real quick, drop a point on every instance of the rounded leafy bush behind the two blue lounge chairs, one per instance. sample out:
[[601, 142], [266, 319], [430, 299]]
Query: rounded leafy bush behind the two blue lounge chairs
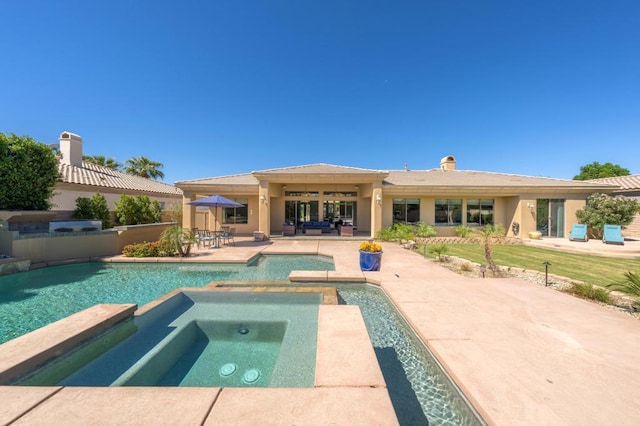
[[604, 209]]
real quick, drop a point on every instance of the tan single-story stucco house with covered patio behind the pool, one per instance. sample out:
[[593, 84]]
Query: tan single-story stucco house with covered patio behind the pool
[[372, 199]]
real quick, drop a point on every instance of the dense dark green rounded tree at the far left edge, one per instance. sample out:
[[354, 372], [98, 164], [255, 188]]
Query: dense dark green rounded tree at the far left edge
[[28, 173]]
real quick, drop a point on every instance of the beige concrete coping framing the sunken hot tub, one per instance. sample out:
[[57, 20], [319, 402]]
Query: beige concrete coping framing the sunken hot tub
[[347, 374]]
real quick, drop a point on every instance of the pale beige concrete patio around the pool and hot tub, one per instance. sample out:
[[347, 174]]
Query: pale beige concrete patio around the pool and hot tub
[[521, 353]]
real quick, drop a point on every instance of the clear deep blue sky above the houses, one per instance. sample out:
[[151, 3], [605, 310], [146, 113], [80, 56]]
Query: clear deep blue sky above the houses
[[212, 88]]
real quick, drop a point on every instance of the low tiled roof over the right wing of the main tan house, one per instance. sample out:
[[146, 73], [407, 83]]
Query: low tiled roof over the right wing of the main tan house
[[470, 178]]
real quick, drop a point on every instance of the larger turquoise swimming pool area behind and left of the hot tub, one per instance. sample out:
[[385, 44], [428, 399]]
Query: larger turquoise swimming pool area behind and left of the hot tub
[[30, 300]]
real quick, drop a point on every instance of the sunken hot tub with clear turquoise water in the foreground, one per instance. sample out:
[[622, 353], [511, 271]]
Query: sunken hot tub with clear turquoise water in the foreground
[[200, 338]]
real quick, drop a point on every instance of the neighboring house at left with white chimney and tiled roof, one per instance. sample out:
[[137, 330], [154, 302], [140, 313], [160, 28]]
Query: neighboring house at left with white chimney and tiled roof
[[82, 179]]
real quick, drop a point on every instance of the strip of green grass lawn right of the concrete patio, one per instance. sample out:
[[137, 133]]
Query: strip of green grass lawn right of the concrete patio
[[595, 270]]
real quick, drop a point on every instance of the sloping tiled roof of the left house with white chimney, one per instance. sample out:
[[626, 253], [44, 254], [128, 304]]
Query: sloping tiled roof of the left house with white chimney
[[94, 175]]
